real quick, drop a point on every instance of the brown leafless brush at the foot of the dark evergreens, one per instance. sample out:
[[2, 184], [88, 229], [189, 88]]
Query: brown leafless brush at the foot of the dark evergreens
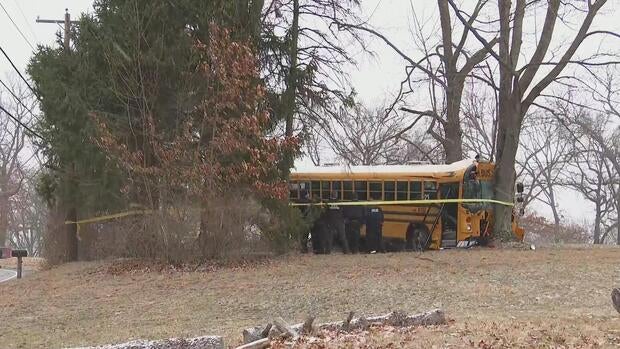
[[231, 227]]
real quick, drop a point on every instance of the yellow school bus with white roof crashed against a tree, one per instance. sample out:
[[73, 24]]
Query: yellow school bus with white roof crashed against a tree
[[437, 223]]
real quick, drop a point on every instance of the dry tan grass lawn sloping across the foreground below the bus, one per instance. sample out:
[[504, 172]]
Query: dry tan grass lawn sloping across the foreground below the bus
[[551, 297]]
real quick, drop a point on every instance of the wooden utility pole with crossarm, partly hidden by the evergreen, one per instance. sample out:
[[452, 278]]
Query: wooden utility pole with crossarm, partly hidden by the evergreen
[[71, 230]]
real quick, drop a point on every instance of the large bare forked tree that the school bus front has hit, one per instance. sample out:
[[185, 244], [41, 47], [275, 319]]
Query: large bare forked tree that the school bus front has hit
[[518, 85]]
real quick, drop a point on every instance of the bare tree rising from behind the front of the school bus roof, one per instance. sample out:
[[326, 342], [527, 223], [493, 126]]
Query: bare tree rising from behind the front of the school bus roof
[[444, 65]]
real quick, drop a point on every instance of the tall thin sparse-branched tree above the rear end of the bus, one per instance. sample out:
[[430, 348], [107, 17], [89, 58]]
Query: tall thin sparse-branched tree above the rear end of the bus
[[304, 56]]
